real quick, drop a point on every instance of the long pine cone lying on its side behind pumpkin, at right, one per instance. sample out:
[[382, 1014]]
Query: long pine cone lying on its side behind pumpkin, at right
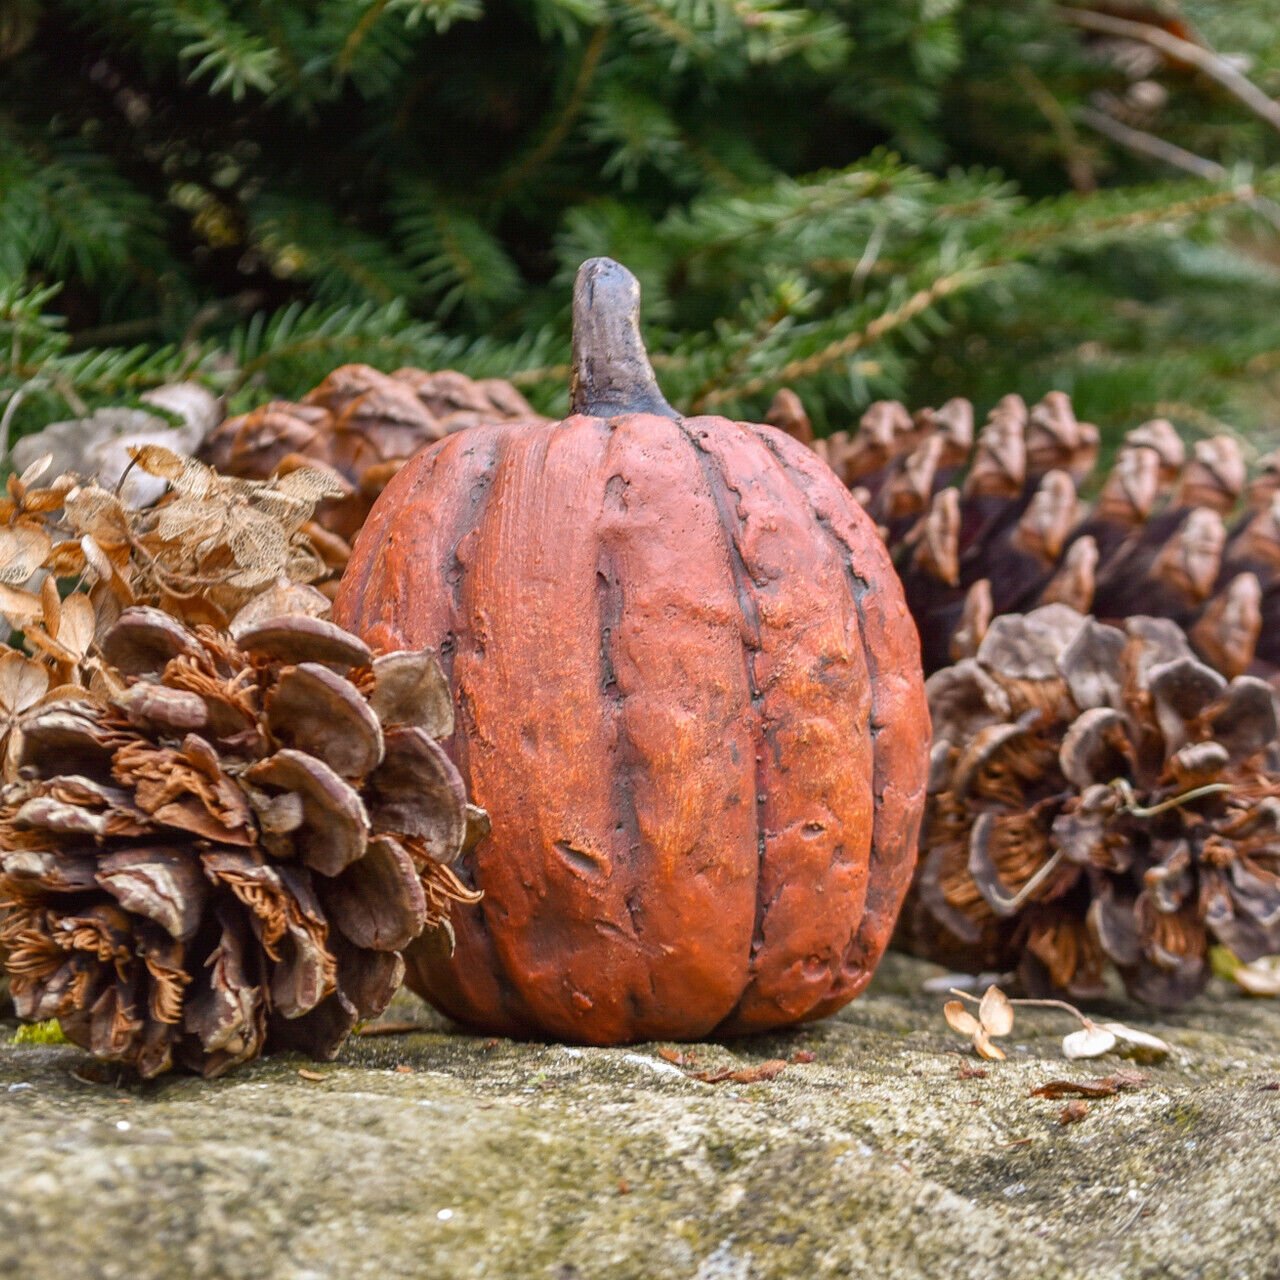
[[990, 525]]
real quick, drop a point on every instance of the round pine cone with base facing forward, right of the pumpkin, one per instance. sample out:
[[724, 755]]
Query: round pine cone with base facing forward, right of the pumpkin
[[1099, 796]]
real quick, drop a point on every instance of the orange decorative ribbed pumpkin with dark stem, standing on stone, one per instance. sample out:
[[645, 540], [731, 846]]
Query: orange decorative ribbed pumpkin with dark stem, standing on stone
[[689, 696]]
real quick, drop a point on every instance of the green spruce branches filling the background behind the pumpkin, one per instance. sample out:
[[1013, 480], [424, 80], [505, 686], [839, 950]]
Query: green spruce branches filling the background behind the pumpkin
[[852, 198]]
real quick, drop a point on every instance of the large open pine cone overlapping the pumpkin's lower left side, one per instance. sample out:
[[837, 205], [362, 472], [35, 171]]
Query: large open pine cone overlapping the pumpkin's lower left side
[[223, 848]]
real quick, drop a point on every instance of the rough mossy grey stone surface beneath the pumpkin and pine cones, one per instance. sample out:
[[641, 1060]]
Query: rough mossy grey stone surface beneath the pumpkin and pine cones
[[454, 1156]]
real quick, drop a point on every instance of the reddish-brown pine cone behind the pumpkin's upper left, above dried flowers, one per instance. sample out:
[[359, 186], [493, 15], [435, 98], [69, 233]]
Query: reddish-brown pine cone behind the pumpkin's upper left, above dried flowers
[[363, 426]]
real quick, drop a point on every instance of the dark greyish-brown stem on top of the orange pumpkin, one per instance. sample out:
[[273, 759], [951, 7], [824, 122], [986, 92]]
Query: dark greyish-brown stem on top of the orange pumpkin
[[611, 368]]
